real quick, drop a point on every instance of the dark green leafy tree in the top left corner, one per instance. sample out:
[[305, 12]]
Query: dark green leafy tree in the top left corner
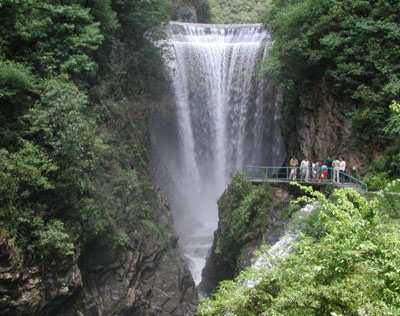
[[53, 37]]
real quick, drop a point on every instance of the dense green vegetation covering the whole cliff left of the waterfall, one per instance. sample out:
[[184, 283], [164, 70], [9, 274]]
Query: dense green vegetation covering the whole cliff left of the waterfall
[[75, 80]]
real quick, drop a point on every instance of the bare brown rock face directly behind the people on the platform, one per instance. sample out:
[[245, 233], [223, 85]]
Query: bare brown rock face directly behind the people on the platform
[[323, 129]]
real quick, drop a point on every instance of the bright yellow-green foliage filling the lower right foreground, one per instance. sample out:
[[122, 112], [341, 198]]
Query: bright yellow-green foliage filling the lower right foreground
[[346, 264]]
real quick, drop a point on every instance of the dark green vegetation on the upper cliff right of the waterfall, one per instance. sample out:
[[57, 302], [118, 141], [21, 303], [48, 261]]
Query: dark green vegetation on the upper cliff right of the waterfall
[[352, 46]]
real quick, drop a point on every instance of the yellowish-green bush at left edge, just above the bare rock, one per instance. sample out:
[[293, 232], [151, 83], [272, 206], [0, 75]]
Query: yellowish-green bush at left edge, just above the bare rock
[[24, 177]]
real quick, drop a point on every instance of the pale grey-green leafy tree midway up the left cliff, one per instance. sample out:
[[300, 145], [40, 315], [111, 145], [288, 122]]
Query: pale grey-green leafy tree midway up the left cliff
[[60, 124]]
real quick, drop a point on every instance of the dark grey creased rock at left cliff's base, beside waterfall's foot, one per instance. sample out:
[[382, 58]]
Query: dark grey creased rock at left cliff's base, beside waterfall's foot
[[146, 279]]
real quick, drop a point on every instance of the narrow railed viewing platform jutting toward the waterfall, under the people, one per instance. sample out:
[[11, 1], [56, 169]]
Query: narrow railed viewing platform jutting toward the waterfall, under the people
[[258, 174]]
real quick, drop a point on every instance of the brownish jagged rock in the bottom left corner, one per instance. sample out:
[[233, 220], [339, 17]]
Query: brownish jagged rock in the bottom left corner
[[31, 291]]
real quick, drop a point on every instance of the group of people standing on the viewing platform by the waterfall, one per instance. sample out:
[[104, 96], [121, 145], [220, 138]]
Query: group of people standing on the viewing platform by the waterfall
[[331, 169]]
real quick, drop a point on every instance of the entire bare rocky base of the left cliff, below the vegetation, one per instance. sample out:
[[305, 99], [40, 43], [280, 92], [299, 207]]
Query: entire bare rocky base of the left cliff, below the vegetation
[[149, 277]]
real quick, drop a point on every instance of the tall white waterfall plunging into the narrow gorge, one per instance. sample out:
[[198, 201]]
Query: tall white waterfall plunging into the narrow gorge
[[226, 117]]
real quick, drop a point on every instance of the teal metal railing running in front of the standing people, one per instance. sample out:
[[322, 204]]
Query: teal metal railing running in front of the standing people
[[308, 175]]
